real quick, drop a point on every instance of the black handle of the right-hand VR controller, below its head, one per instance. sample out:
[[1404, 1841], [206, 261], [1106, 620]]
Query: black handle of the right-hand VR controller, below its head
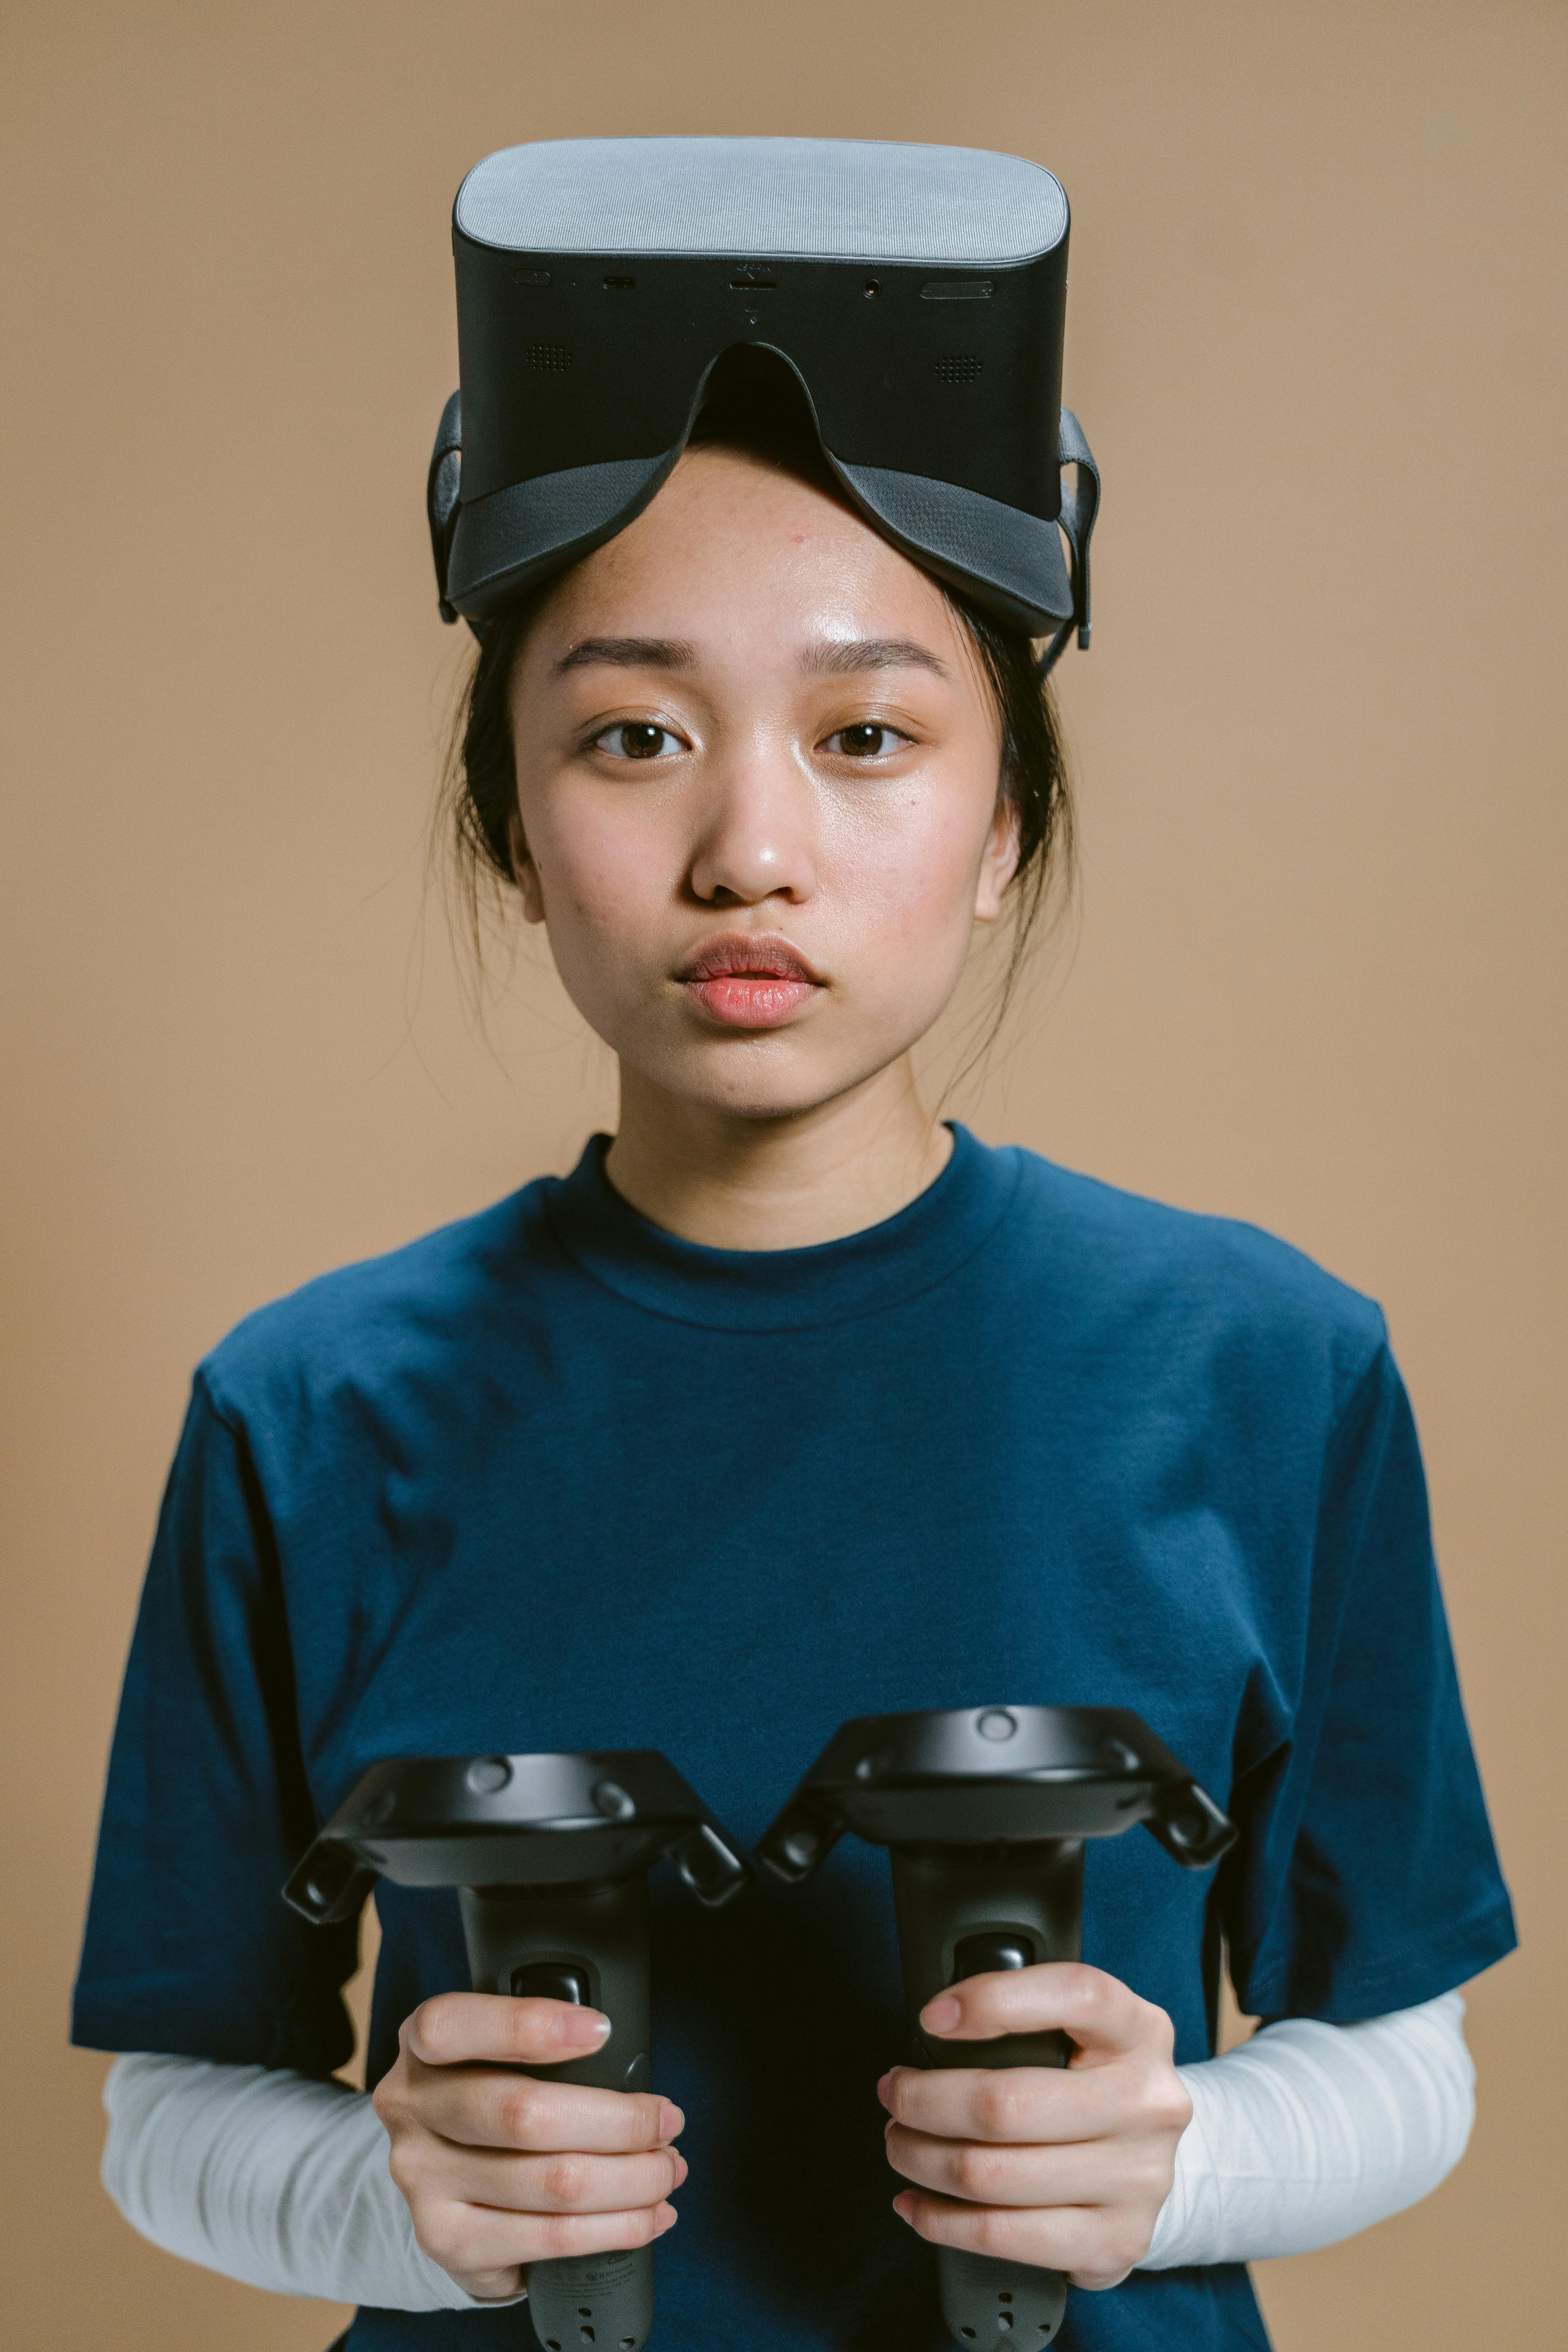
[[965, 1913]]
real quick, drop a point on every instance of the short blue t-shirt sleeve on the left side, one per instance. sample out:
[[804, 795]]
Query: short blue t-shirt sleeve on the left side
[[189, 1942]]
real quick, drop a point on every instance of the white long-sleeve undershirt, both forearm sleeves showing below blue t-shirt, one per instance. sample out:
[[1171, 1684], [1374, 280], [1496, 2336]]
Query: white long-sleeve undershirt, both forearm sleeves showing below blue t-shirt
[[1299, 2139]]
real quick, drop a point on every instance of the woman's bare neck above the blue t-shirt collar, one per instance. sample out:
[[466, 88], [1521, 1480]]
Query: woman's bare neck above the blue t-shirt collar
[[775, 1184]]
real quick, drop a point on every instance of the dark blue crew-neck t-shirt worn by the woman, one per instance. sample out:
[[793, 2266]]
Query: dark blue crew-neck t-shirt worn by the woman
[[558, 1481]]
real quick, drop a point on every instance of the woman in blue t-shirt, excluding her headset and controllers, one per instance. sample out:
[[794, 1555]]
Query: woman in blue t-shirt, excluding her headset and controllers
[[789, 1405]]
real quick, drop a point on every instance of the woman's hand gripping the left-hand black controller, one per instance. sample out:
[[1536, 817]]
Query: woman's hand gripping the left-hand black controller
[[507, 2170]]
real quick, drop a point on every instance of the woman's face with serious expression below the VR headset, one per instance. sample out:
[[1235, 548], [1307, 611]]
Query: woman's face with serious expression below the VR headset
[[758, 791]]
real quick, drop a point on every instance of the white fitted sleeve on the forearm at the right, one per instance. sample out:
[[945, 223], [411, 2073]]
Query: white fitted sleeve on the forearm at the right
[[1313, 2132]]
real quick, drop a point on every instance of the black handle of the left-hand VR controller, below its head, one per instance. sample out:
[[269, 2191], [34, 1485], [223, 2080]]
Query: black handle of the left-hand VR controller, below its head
[[587, 1946]]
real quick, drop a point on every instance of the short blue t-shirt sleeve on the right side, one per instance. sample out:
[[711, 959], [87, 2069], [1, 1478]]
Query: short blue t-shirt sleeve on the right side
[[1367, 1878]]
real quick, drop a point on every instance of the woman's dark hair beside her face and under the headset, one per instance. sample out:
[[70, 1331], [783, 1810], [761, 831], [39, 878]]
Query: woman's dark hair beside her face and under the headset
[[756, 406]]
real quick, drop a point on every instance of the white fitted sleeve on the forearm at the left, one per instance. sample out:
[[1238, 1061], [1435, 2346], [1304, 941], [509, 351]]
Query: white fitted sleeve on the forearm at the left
[[272, 2179]]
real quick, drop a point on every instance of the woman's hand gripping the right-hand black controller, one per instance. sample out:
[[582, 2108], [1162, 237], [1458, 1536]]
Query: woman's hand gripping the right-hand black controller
[[1066, 2167]]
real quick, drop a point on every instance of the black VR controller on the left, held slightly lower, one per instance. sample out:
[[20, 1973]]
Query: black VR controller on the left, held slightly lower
[[551, 1859]]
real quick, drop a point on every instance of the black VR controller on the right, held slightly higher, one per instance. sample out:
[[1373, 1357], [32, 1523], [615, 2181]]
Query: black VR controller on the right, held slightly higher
[[986, 1815]]
